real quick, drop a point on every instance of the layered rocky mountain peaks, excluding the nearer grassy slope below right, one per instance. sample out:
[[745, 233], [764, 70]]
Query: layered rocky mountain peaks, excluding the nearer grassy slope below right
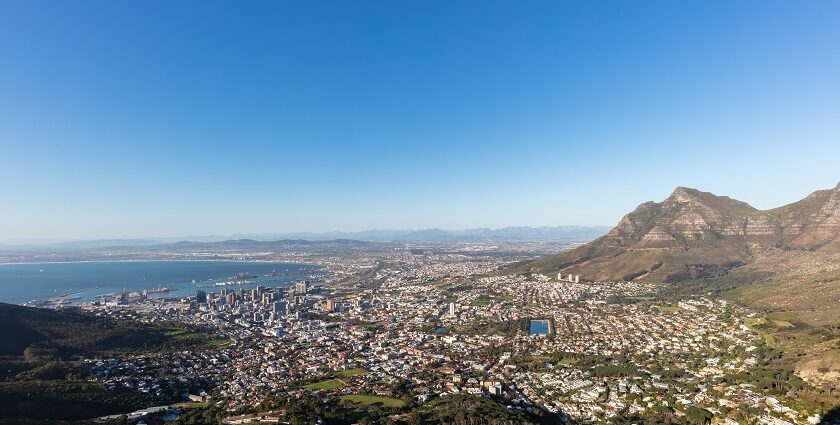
[[693, 230]]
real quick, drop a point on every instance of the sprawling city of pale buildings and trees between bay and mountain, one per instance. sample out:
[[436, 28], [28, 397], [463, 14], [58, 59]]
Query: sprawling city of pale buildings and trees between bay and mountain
[[416, 324]]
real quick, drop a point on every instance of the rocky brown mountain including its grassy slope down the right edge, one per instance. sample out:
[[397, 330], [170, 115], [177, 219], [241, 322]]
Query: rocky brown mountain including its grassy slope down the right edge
[[782, 263]]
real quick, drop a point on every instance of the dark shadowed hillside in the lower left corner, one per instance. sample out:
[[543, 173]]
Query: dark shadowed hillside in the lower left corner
[[42, 372]]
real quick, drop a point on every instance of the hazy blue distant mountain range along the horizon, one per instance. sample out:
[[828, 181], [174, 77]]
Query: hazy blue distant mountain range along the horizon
[[546, 233]]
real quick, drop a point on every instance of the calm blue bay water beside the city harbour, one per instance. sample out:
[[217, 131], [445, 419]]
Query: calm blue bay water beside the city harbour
[[20, 283]]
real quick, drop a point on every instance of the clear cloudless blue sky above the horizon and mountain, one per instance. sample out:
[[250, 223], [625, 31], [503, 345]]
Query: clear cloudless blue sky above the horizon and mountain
[[145, 119]]
